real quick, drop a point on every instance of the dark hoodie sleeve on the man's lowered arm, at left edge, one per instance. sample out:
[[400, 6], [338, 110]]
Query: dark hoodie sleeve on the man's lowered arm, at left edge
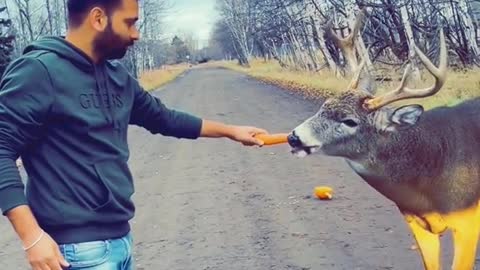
[[25, 100]]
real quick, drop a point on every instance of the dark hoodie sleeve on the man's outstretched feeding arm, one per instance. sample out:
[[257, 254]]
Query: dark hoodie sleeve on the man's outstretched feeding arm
[[149, 112]]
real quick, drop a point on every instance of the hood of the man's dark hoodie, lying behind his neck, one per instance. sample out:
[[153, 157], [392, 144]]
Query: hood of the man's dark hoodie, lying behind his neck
[[64, 49]]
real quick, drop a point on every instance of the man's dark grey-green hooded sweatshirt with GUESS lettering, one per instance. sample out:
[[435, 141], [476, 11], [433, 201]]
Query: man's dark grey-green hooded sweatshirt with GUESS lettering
[[68, 119]]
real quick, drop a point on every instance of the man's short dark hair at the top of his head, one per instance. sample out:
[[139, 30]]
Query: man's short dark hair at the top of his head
[[78, 9]]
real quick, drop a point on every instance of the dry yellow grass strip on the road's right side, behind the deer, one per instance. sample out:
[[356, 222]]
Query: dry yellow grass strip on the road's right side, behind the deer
[[460, 85]]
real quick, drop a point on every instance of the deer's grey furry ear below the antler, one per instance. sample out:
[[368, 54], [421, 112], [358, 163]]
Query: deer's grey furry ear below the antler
[[389, 120]]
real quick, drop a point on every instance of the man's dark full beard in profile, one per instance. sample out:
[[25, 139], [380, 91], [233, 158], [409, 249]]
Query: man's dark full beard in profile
[[109, 45]]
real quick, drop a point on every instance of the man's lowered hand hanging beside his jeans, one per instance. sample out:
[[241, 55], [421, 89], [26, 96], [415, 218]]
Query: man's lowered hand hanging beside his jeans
[[46, 255]]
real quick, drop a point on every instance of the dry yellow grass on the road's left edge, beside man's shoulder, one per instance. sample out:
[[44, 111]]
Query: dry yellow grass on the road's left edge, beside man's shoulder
[[154, 79]]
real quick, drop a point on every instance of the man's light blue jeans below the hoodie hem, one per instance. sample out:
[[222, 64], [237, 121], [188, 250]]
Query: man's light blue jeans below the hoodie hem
[[112, 254]]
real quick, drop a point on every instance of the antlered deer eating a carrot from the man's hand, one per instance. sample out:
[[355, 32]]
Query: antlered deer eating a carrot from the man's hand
[[427, 162]]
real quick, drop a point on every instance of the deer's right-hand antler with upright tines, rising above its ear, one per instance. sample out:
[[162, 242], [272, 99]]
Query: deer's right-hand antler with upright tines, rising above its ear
[[403, 92]]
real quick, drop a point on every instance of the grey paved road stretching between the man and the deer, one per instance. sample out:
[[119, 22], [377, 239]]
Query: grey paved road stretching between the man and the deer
[[215, 204]]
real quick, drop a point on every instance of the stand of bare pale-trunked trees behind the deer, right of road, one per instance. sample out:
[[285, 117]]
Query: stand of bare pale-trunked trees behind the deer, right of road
[[293, 32]]
